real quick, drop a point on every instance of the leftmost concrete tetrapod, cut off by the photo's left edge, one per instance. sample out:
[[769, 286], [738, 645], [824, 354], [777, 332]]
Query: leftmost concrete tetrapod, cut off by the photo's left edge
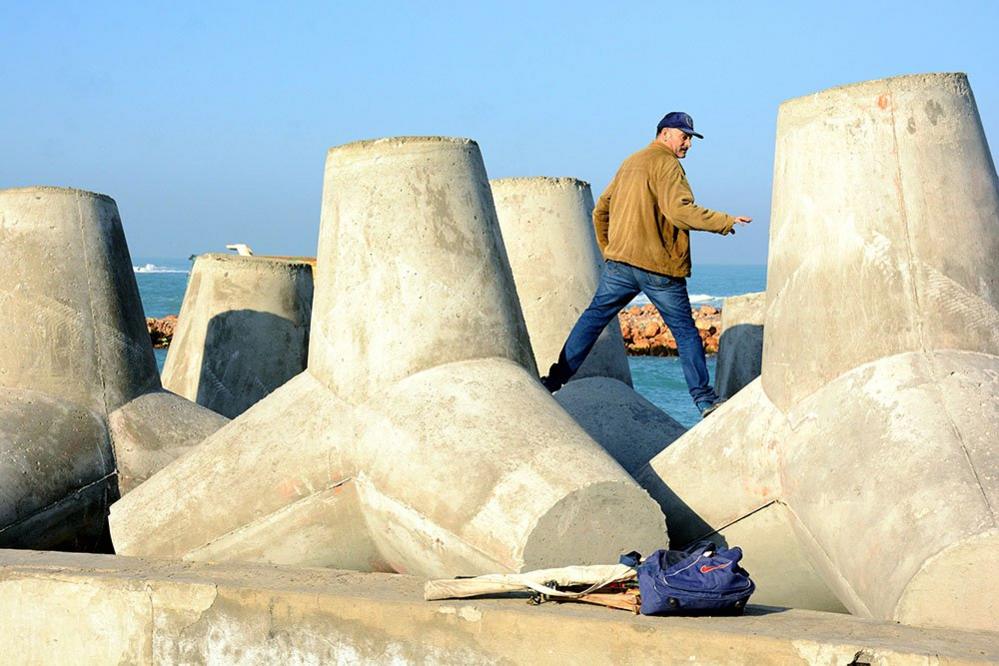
[[83, 413]]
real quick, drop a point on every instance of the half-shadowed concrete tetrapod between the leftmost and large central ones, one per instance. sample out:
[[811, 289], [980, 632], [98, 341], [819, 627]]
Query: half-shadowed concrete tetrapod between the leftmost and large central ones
[[243, 330]]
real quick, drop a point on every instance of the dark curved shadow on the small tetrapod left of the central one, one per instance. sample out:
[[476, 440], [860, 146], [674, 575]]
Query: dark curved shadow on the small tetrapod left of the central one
[[247, 355]]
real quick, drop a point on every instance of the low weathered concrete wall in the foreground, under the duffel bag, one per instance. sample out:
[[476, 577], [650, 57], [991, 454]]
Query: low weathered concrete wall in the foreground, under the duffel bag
[[91, 609]]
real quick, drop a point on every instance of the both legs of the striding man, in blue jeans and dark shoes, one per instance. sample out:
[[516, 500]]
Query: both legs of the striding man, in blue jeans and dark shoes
[[619, 283]]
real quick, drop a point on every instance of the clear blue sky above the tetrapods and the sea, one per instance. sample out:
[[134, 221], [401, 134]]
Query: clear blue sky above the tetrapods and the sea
[[209, 122]]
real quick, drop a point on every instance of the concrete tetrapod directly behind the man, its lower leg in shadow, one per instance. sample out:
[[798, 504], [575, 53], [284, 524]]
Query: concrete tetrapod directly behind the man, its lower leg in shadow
[[548, 232]]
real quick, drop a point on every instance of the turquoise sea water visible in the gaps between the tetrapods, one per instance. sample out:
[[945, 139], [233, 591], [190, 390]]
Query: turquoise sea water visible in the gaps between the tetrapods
[[162, 282]]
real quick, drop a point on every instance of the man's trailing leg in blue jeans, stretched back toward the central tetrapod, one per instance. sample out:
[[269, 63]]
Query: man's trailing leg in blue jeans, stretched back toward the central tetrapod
[[616, 288]]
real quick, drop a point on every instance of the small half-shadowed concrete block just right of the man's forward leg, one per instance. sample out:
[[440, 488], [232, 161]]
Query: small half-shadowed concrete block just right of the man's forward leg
[[740, 349]]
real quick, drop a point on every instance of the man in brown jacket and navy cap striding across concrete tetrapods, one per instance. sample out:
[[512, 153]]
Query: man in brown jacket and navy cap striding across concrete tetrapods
[[643, 221]]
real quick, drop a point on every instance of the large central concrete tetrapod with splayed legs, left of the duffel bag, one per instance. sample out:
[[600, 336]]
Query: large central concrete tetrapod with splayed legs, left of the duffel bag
[[431, 453]]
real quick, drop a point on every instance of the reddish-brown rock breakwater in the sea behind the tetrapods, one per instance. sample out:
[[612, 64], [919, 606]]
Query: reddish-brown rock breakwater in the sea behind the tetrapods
[[642, 328]]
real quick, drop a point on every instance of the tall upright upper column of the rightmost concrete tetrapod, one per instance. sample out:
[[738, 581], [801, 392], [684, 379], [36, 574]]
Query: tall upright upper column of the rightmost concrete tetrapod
[[897, 182]]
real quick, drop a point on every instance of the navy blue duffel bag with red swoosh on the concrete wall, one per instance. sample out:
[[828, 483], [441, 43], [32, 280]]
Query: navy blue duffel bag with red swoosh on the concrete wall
[[701, 580]]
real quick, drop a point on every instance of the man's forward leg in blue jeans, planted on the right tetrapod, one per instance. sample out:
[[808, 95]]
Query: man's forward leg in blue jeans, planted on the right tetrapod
[[669, 295]]
